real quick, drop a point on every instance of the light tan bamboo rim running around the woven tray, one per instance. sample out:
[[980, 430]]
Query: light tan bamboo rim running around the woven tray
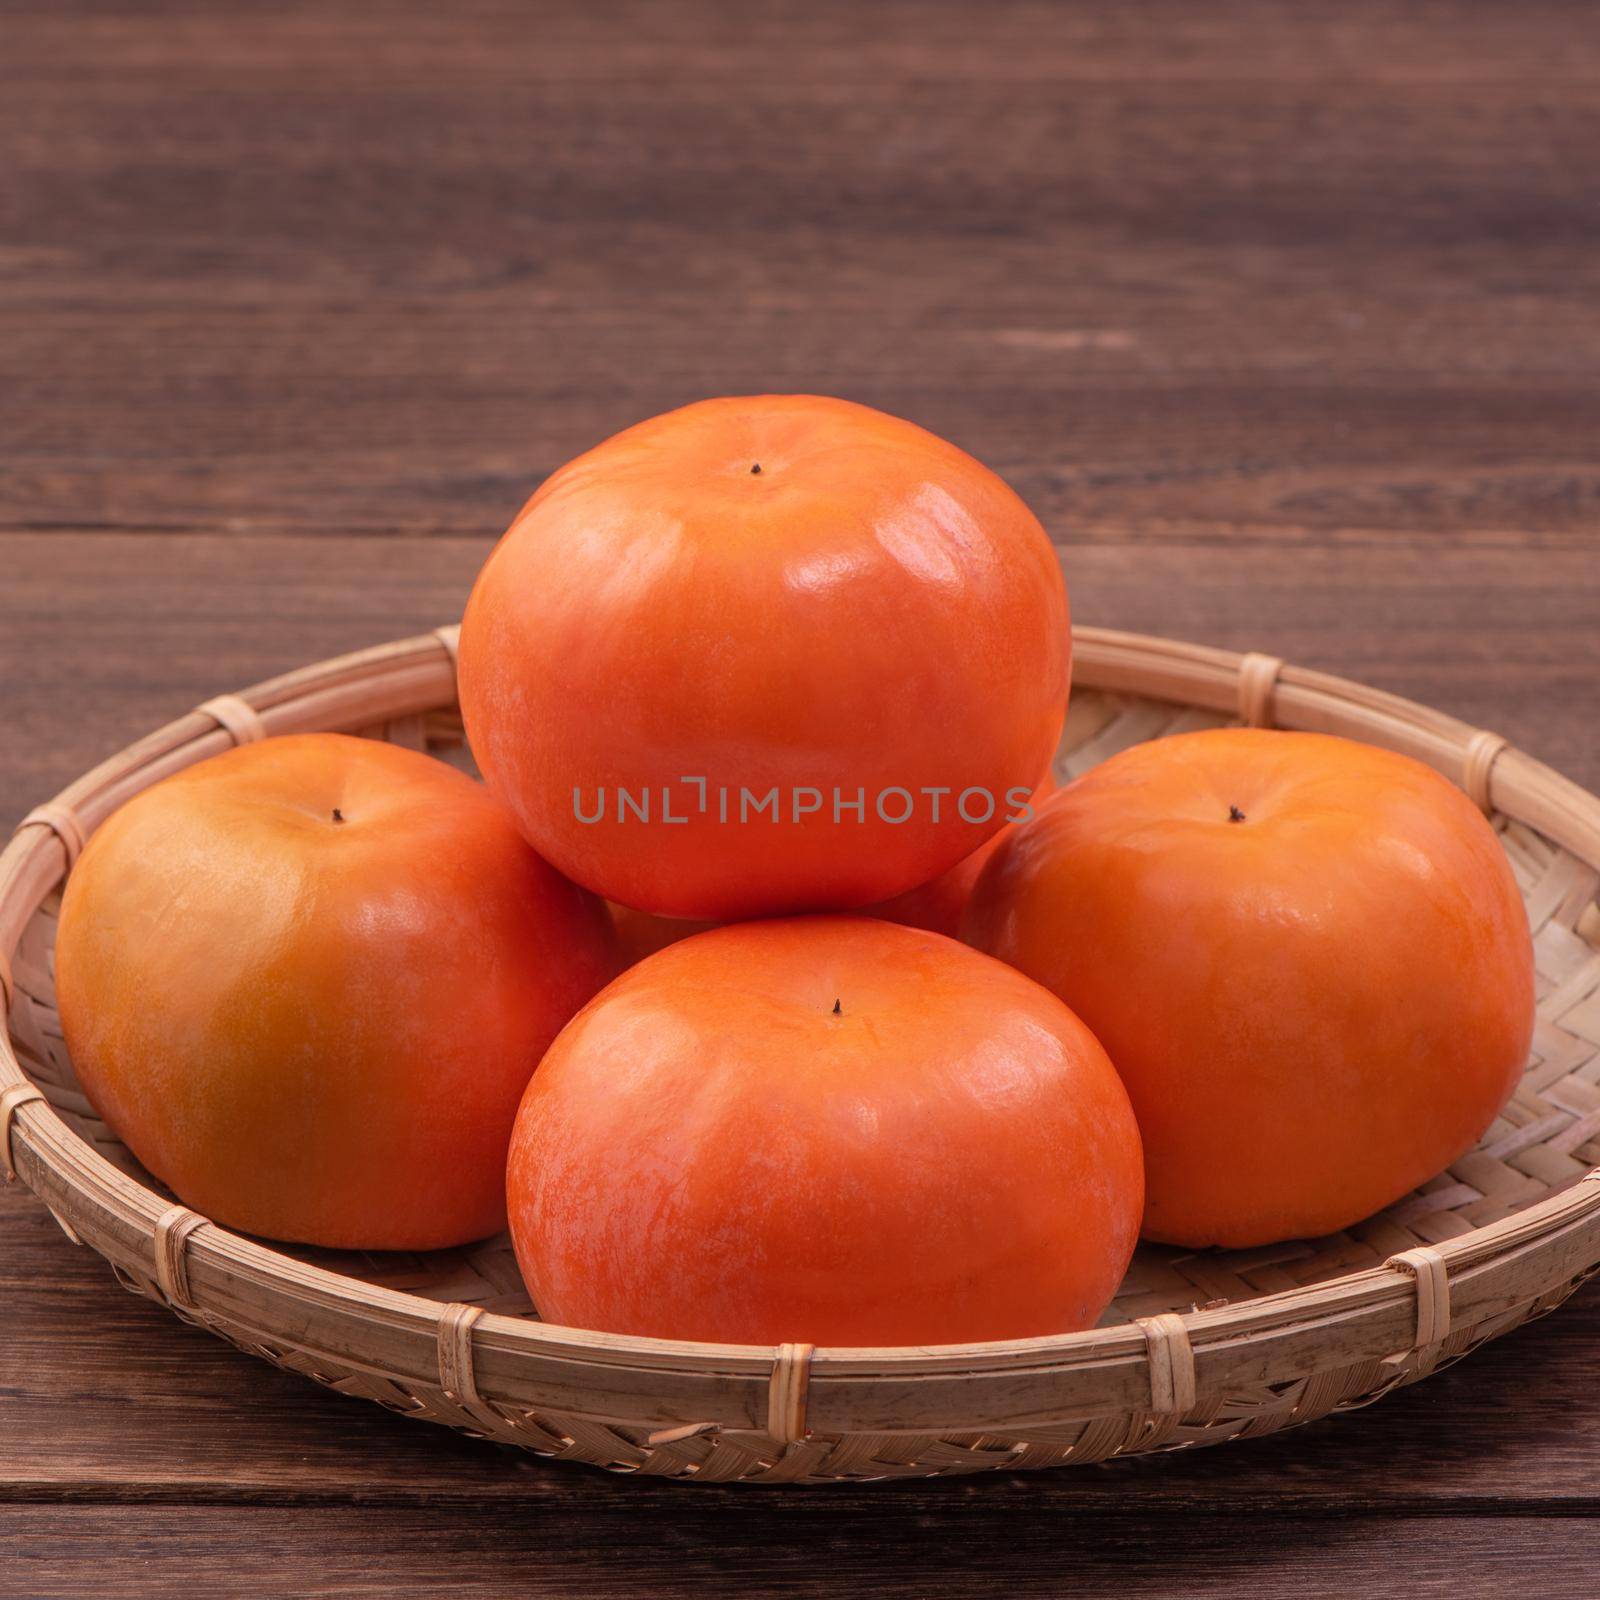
[[1265, 1338]]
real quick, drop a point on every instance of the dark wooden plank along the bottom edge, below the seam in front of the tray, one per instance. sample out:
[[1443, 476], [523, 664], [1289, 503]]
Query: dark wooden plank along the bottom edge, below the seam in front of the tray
[[802, 1546]]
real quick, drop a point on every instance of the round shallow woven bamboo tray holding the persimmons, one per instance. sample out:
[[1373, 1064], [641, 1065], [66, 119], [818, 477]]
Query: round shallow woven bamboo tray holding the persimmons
[[1198, 1350]]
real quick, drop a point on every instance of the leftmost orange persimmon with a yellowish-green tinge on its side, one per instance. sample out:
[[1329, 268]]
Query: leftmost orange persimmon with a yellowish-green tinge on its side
[[318, 1028]]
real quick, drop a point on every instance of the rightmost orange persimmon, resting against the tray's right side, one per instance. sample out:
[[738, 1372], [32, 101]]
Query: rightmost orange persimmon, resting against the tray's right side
[[1316, 1006]]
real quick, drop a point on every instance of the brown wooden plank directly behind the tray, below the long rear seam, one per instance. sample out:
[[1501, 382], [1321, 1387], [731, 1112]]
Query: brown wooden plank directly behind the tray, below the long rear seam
[[106, 636]]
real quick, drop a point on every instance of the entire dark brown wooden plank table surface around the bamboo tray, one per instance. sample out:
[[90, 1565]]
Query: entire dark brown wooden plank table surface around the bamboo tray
[[1284, 319]]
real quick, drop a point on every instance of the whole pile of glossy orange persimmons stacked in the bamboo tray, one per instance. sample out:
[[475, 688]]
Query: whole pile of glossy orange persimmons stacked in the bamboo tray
[[766, 985]]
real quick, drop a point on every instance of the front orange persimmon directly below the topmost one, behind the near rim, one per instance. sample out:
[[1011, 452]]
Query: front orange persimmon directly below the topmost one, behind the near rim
[[711, 1151]]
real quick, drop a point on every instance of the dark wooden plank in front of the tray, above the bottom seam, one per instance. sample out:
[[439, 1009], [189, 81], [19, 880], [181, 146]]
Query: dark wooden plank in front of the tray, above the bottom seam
[[106, 1398]]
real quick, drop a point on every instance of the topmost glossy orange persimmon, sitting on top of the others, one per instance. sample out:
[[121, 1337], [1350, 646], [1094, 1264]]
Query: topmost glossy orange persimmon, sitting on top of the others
[[871, 610]]
